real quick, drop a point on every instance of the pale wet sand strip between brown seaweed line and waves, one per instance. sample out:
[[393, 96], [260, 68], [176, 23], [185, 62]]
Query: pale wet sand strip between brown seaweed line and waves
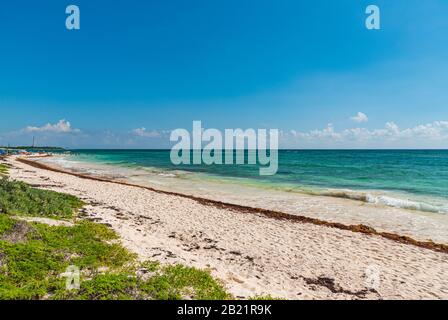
[[337, 208]]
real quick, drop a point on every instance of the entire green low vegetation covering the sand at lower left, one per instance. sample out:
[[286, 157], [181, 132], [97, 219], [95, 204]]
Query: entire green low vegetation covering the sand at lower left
[[34, 256]]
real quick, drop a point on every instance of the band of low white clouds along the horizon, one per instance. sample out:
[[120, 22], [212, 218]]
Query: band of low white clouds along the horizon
[[429, 135]]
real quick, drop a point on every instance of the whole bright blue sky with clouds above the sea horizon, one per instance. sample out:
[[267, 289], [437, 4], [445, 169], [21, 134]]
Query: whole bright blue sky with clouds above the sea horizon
[[137, 69]]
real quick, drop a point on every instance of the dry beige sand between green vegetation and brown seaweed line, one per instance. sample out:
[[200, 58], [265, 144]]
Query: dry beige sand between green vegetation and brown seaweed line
[[253, 253]]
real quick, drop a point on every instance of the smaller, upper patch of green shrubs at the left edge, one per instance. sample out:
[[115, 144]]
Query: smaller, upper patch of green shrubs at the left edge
[[18, 198]]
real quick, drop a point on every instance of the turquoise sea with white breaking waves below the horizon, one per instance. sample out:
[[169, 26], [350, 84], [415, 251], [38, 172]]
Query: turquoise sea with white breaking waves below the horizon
[[411, 179]]
